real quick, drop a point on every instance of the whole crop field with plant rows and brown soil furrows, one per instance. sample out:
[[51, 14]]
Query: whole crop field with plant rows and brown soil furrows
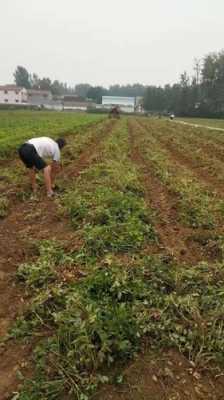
[[115, 289]]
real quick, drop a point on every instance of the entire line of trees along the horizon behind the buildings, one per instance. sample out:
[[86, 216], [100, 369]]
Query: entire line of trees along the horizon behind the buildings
[[201, 94]]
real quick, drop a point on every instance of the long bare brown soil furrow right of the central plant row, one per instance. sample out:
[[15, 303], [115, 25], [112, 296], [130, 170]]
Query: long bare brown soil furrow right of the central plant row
[[173, 236]]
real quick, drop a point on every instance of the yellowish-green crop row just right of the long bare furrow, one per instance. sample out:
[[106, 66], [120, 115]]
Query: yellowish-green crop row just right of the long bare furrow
[[197, 206]]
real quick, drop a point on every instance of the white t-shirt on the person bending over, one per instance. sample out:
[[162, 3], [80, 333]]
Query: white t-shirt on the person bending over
[[46, 147]]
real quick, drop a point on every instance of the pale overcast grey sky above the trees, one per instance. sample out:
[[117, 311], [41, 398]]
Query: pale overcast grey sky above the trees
[[105, 42]]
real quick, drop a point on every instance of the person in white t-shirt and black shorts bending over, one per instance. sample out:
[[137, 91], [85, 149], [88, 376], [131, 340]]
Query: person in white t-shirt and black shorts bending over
[[33, 153]]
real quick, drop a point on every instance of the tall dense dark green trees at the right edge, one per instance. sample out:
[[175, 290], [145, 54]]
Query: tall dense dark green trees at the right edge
[[199, 95]]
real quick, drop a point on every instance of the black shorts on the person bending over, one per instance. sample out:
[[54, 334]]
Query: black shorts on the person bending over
[[30, 157]]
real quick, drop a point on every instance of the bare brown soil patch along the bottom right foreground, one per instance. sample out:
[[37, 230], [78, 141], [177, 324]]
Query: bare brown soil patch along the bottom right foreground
[[169, 376]]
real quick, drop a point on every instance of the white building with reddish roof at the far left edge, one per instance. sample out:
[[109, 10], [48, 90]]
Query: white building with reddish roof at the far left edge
[[12, 94]]
